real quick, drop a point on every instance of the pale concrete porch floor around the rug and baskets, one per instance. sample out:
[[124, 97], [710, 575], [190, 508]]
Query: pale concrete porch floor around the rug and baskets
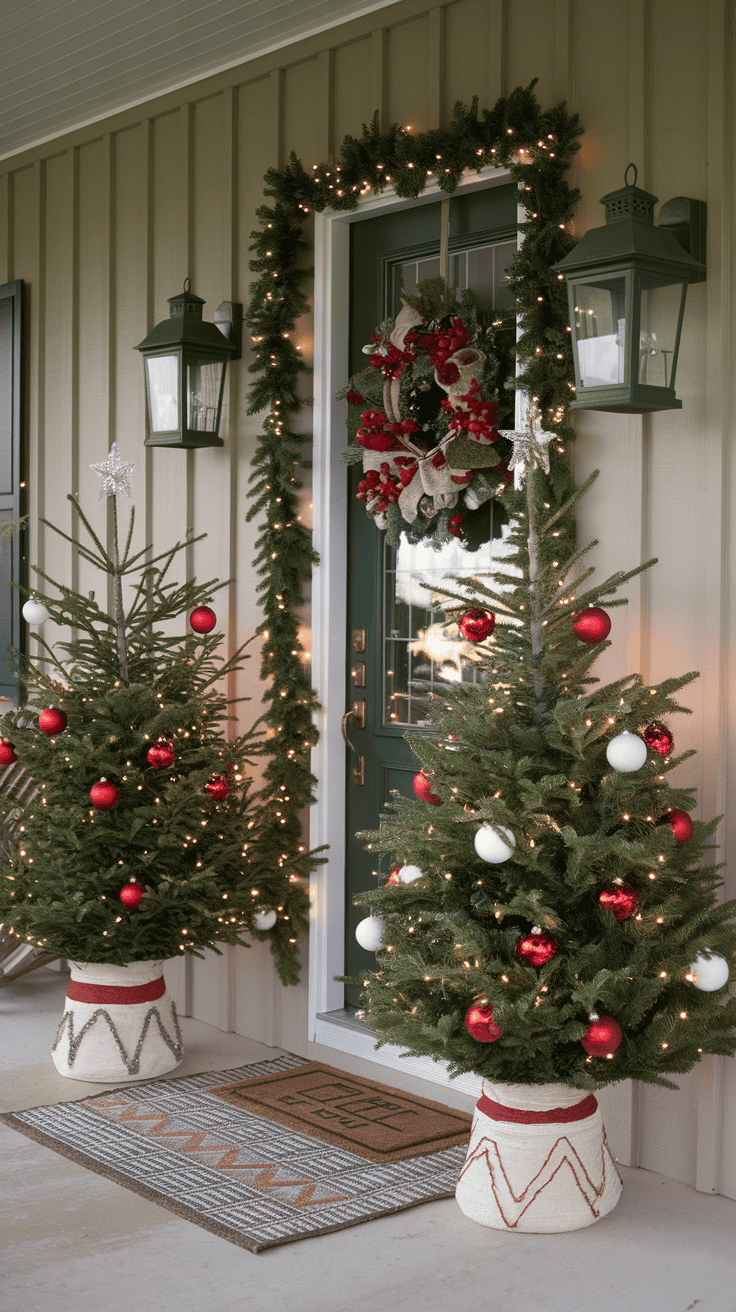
[[75, 1242]]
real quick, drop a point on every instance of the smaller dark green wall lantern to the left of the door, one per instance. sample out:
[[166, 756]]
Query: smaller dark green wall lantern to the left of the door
[[186, 364]]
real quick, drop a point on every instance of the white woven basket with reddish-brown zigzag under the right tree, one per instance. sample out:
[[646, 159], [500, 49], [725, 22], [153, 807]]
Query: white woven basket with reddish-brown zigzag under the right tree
[[539, 1160]]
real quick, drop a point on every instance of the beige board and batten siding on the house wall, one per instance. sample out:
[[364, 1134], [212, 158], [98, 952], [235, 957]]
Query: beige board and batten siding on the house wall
[[106, 224]]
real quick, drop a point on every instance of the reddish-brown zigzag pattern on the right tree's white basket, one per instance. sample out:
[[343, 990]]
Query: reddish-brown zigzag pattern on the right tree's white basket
[[514, 1206]]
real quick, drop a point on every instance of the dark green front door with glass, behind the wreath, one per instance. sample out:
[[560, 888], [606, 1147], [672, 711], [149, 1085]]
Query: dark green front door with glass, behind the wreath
[[398, 649]]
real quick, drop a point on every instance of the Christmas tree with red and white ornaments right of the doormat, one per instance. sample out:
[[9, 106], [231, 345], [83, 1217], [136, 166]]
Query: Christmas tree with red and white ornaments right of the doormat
[[552, 914]]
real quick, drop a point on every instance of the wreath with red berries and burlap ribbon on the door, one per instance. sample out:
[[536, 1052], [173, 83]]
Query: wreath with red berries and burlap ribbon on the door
[[424, 418]]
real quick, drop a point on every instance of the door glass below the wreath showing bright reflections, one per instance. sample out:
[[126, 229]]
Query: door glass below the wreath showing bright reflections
[[423, 650]]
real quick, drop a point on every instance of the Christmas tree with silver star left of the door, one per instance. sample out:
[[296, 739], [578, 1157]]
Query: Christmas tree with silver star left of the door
[[134, 842]]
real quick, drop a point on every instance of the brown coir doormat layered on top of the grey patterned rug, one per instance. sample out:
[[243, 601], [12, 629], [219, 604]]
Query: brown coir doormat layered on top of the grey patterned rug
[[348, 1112]]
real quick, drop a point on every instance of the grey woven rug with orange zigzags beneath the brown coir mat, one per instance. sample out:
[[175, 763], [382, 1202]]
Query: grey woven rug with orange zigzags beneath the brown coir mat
[[234, 1168]]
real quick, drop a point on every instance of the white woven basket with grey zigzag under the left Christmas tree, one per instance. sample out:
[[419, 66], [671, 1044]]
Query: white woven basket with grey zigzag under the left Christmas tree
[[120, 1024]]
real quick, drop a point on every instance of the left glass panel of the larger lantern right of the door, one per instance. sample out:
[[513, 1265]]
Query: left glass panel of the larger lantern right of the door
[[600, 331]]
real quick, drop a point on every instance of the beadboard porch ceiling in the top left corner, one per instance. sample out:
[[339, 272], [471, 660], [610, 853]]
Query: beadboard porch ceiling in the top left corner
[[66, 64]]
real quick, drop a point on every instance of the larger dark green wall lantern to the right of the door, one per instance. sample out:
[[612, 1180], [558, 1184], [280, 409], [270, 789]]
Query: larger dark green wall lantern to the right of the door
[[626, 289]]
